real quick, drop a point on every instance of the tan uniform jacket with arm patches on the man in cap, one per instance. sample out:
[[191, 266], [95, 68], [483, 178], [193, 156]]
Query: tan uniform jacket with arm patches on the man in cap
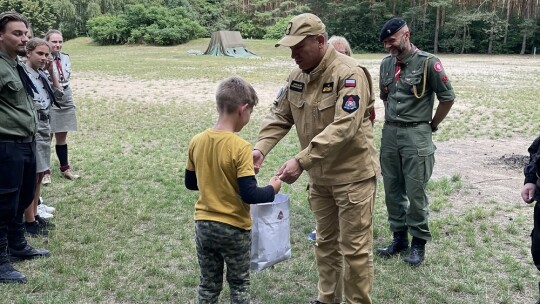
[[330, 108]]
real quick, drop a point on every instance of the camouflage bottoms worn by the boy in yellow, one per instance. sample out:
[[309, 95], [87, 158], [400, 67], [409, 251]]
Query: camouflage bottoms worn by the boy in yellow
[[218, 244]]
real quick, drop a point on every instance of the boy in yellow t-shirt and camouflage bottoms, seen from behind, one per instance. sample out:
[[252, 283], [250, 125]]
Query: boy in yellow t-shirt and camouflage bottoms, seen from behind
[[220, 166]]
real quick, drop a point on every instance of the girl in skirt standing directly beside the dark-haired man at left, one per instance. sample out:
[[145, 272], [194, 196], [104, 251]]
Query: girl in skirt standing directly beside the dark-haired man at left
[[38, 54]]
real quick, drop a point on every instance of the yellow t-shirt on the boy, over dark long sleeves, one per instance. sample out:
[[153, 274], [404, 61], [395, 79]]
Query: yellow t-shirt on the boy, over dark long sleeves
[[219, 158]]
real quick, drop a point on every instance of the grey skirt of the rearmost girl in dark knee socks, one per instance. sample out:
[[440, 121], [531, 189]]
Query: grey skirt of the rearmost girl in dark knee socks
[[64, 119]]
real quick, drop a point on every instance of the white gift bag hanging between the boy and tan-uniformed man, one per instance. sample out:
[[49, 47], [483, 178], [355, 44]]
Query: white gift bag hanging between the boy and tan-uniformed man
[[270, 234]]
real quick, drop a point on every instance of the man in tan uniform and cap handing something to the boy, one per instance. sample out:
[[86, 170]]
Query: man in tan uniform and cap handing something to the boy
[[328, 98]]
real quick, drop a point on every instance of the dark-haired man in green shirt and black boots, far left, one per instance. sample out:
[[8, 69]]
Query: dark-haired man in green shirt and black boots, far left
[[17, 147]]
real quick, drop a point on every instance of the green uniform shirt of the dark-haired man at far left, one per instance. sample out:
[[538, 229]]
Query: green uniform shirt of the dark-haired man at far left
[[17, 112]]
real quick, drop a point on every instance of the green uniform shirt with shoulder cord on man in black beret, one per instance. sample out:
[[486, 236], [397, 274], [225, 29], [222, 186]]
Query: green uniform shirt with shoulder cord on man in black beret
[[402, 104]]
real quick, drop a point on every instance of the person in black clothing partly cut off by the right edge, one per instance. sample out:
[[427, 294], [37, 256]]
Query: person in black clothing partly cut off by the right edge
[[531, 193]]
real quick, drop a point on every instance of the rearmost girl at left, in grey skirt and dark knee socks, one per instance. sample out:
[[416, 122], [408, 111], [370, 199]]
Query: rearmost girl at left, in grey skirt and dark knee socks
[[64, 119]]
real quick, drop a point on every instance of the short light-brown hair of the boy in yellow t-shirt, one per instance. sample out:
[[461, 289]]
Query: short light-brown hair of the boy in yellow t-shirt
[[234, 92]]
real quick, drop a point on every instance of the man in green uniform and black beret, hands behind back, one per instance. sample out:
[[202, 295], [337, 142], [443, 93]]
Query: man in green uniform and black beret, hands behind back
[[409, 80]]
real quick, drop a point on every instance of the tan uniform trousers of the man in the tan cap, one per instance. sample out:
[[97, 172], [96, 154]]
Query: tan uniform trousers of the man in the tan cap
[[344, 250]]
